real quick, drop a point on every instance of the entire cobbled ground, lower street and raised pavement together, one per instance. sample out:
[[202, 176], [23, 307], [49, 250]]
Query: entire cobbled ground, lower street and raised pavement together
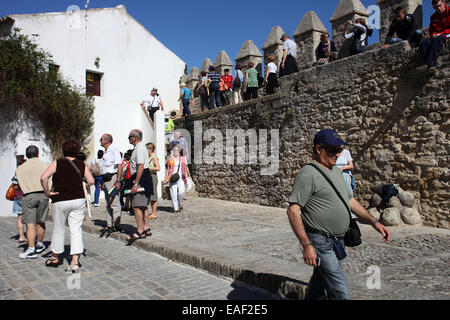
[[248, 243]]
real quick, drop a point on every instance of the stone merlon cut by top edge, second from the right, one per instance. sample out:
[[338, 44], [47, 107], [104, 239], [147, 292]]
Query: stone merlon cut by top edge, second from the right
[[346, 10]]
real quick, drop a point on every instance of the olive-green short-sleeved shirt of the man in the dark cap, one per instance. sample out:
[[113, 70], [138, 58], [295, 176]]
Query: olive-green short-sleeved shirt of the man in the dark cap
[[321, 208]]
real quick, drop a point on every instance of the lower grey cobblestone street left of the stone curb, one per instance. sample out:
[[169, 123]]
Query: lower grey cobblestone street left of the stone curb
[[110, 270]]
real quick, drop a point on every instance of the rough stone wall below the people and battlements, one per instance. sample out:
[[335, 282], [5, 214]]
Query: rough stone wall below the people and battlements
[[394, 117]]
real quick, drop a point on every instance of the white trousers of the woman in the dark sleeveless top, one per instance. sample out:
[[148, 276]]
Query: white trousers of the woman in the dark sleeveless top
[[73, 211]]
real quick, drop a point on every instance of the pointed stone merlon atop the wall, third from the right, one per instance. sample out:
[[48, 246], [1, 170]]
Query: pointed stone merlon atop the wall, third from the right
[[307, 36]]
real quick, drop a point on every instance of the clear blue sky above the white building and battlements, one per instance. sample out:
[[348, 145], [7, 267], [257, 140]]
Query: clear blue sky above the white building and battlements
[[199, 29]]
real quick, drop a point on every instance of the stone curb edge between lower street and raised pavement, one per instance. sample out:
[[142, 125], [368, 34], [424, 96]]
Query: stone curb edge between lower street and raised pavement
[[275, 284]]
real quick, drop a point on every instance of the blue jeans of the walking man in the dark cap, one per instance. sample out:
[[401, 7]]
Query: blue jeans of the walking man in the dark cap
[[328, 279]]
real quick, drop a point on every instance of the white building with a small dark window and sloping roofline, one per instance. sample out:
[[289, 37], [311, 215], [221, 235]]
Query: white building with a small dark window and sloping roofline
[[112, 55]]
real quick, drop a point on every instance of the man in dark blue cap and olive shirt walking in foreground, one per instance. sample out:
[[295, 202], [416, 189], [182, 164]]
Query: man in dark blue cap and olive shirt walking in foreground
[[320, 219]]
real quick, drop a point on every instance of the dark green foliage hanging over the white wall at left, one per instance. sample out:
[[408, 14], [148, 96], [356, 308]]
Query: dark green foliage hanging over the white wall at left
[[29, 87]]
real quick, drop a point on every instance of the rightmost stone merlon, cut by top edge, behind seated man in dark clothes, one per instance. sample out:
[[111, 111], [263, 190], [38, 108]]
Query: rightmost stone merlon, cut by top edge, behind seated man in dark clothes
[[387, 15]]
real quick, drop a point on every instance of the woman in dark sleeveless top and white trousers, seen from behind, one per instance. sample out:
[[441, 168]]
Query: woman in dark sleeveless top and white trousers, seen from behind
[[69, 203]]
